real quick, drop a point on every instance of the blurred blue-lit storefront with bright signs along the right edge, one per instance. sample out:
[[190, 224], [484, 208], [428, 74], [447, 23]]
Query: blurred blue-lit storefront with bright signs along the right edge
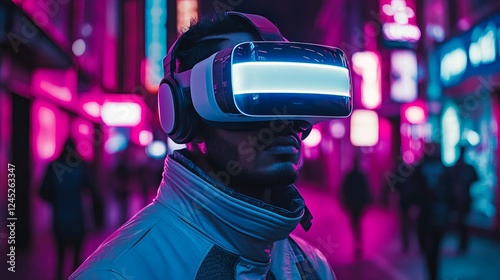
[[464, 87]]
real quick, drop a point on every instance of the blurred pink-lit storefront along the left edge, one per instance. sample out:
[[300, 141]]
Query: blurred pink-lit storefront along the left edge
[[40, 106]]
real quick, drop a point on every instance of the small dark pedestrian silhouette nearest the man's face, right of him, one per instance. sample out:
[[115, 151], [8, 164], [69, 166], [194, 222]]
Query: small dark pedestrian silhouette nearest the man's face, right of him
[[356, 196]]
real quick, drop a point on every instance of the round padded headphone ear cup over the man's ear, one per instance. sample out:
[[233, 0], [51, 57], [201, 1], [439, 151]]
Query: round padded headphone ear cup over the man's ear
[[178, 118]]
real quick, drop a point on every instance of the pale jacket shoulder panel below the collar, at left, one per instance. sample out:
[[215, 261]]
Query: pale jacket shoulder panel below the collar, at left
[[154, 238]]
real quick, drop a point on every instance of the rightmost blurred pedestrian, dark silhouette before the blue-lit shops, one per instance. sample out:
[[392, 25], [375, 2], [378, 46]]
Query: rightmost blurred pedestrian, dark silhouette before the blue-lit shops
[[461, 177]]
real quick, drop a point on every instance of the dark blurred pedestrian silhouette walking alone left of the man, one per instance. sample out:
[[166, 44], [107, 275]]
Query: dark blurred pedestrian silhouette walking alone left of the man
[[62, 186]]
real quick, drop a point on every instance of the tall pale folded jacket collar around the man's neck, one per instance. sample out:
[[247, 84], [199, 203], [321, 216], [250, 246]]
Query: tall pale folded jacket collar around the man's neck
[[238, 223]]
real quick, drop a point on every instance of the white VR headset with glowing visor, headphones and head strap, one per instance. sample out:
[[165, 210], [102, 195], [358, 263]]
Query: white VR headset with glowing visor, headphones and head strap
[[255, 82]]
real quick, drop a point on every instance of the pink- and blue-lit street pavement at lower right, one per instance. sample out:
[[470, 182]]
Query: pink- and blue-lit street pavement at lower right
[[383, 257]]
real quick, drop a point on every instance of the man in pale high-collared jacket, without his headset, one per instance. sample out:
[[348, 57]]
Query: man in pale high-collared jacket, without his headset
[[226, 207]]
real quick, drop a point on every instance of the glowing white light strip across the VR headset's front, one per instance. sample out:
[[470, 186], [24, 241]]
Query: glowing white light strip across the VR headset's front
[[289, 77]]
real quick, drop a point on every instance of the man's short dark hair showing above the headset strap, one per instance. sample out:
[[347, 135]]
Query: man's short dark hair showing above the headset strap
[[191, 48]]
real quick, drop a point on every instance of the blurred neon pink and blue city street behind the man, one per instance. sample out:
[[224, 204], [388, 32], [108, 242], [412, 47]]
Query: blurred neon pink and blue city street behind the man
[[423, 72]]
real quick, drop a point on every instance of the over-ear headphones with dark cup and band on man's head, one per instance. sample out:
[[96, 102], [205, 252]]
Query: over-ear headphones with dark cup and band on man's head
[[178, 118]]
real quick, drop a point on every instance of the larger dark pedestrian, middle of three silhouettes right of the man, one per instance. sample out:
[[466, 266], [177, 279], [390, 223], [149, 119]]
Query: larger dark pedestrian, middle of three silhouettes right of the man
[[435, 203]]
